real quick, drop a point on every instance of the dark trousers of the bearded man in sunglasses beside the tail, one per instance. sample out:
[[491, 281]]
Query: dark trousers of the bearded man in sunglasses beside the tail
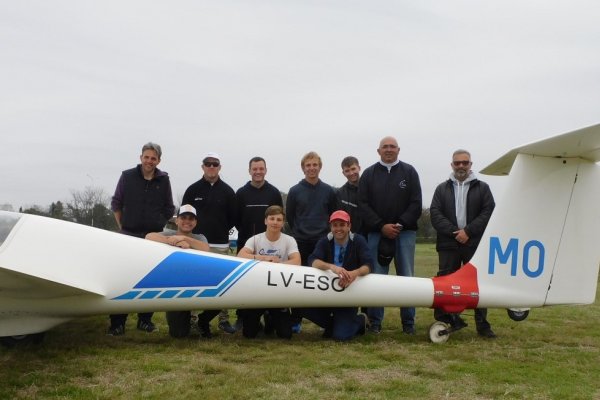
[[451, 261]]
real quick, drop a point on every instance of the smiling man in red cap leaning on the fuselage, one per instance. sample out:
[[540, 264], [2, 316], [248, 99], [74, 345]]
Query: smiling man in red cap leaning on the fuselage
[[347, 256]]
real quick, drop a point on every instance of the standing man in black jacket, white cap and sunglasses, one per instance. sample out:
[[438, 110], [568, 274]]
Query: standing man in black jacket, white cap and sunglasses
[[214, 201]]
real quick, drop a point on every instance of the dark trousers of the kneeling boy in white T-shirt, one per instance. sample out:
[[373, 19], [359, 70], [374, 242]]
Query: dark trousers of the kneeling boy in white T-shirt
[[278, 319]]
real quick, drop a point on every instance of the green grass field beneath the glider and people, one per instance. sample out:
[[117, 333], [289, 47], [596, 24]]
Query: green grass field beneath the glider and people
[[554, 354]]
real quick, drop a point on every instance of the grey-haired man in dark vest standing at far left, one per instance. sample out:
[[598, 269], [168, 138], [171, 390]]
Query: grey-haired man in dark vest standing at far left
[[142, 203]]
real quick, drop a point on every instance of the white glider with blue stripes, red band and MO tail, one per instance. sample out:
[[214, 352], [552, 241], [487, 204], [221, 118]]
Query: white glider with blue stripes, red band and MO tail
[[540, 248]]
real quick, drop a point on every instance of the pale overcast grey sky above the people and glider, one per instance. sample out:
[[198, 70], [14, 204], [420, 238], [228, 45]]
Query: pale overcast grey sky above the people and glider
[[84, 84]]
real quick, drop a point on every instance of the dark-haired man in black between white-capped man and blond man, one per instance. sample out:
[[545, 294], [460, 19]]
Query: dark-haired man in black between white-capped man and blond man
[[253, 199]]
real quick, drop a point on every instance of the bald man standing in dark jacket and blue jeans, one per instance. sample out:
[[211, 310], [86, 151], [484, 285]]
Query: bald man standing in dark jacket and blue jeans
[[390, 201]]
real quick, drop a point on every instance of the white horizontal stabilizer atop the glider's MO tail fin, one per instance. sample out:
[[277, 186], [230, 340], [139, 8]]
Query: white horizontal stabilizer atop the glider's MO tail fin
[[582, 143]]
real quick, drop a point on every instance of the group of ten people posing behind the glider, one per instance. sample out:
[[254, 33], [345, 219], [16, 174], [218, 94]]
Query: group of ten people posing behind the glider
[[352, 231]]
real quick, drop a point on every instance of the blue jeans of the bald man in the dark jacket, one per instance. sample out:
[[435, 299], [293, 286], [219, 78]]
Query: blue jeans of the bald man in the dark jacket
[[404, 261]]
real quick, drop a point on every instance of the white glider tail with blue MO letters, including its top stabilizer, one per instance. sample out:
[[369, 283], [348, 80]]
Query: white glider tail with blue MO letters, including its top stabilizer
[[542, 244]]
